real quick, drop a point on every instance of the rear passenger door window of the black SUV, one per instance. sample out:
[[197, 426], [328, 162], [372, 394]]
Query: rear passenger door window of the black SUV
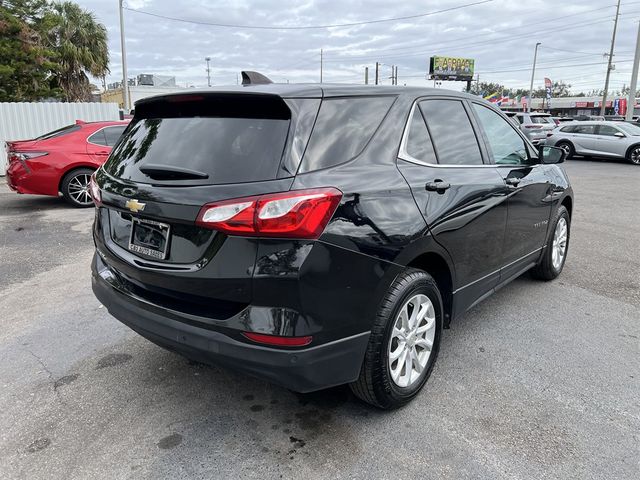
[[451, 131]]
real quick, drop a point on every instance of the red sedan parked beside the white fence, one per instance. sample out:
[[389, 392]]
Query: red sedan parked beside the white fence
[[62, 161]]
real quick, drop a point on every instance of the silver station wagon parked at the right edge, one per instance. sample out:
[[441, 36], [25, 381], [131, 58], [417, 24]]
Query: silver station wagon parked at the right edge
[[600, 139]]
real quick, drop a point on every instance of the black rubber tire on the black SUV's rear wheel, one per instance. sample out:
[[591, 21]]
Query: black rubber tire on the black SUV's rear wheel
[[375, 384]]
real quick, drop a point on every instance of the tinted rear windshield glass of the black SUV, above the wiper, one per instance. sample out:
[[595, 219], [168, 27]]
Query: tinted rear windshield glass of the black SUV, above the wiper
[[226, 150]]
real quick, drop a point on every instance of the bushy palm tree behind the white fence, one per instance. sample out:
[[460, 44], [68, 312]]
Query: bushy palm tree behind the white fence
[[80, 43]]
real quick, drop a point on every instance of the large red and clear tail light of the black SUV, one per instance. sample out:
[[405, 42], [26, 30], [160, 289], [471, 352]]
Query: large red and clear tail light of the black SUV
[[295, 214]]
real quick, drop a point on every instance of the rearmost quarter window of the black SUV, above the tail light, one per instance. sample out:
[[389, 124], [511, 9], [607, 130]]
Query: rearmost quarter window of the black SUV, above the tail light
[[343, 128]]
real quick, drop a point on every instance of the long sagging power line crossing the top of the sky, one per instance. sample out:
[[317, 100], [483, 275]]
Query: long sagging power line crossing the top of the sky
[[307, 27]]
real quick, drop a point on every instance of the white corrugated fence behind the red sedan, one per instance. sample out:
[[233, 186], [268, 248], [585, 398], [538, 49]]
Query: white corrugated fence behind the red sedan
[[22, 121]]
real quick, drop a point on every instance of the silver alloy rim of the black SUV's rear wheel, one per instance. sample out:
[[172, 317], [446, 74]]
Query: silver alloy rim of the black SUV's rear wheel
[[412, 340]]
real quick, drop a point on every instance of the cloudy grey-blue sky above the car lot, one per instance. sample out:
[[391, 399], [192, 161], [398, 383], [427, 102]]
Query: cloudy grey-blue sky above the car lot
[[499, 34]]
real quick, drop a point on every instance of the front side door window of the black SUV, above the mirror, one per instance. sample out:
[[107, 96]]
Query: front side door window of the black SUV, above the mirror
[[507, 147]]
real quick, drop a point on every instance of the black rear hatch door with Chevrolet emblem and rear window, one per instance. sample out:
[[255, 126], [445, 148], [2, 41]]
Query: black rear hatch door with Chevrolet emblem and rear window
[[178, 154]]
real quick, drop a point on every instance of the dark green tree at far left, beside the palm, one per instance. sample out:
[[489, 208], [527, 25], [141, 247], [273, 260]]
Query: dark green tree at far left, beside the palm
[[25, 65]]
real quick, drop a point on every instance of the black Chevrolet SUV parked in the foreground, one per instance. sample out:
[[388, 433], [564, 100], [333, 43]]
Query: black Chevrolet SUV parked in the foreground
[[321, 235]]
